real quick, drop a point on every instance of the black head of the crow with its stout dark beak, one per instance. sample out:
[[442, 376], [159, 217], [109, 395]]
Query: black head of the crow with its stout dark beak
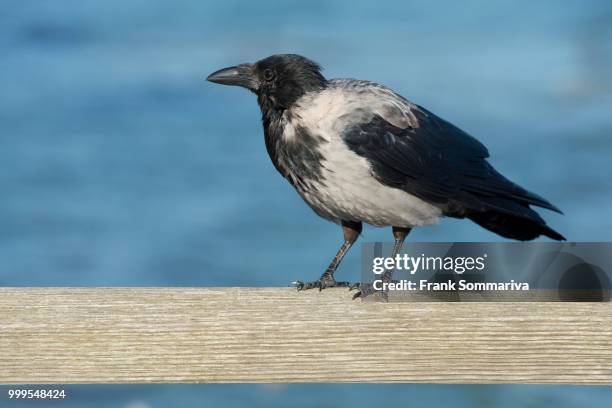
[[278, 80]]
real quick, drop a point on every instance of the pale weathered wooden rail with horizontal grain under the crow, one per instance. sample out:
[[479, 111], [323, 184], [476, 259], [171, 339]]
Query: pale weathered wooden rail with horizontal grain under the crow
[[142, 335]]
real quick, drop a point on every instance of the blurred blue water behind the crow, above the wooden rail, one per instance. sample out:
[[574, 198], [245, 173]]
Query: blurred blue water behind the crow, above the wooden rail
[[120, 165]]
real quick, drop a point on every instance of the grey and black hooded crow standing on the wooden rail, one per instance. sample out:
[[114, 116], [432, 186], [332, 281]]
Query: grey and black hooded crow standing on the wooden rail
[[357, 152]]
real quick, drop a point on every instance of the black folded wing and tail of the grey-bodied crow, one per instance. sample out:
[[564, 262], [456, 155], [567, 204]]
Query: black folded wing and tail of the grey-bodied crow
[[441, 164]]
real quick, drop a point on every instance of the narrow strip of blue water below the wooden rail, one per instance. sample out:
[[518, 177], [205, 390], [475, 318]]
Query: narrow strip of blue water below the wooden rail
[[326, 395]]
